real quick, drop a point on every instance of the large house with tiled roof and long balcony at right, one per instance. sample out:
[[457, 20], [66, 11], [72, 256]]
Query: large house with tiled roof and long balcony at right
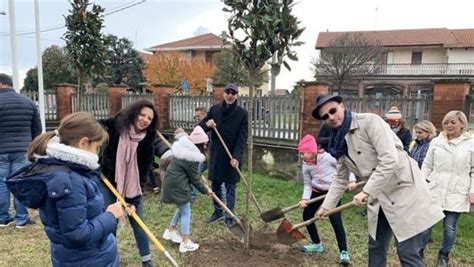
[[412, 60]]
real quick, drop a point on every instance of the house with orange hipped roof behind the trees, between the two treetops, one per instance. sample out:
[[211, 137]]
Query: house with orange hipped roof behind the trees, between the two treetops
[[205, 46]]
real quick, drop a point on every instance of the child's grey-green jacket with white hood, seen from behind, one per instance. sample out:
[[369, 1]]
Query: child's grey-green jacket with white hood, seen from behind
[[182, 172]]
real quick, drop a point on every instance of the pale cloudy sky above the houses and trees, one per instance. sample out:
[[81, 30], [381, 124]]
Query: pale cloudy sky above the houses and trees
[[152, 22]]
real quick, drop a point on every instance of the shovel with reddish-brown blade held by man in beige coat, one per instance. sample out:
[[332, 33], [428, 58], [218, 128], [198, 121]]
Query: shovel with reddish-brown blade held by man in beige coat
[[288, 234]]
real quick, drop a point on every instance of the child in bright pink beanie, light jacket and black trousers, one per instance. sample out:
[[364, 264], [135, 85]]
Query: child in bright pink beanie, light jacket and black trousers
[[319, 168]]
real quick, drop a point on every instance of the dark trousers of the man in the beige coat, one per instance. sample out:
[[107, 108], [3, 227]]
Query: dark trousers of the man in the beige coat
[[408, 250]]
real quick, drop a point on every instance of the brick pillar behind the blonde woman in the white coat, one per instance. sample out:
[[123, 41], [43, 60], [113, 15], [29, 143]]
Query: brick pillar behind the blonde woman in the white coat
[[448, 95]]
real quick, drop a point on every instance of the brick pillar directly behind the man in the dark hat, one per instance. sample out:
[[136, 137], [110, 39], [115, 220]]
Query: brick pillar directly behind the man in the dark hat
[[309, 91]]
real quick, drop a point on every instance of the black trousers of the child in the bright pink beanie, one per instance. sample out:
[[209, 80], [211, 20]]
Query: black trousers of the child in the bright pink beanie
[[336, 222]]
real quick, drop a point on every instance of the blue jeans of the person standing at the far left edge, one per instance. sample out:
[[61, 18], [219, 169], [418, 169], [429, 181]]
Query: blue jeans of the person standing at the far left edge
[[10, 163]]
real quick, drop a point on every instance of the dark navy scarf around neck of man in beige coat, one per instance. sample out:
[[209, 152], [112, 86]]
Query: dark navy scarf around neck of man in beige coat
[[337, 142]]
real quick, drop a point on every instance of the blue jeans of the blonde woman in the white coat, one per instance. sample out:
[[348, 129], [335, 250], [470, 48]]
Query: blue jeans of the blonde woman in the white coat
[[450, 228]]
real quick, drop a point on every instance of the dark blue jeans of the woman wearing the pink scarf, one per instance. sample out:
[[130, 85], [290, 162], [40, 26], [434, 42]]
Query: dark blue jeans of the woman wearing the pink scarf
[[140, 236]]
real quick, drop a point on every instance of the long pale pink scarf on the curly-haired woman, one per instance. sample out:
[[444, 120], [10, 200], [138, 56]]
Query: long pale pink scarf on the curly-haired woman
[[127, 175]]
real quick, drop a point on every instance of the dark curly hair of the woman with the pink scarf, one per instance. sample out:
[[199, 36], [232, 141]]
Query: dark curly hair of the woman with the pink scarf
[[130, 113]]
